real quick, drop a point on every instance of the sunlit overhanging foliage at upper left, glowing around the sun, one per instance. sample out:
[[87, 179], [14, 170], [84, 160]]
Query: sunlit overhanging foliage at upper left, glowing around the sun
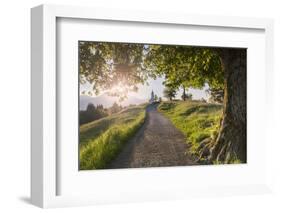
[[106, 65]]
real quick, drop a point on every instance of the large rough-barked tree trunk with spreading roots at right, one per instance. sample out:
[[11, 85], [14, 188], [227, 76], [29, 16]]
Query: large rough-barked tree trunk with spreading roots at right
[[230, 145]]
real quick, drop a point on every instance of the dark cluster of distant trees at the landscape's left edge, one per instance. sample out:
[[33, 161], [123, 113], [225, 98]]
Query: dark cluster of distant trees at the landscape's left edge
[[92, 113]]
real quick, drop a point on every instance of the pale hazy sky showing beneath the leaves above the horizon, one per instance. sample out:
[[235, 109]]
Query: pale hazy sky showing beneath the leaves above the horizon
[[144, 91]]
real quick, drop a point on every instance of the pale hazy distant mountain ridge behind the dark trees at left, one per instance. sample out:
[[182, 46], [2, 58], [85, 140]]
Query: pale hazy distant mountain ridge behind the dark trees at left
[[107, 101]]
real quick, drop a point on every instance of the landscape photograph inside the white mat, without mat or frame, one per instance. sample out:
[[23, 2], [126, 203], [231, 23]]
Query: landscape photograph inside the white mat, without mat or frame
[[161, 105]]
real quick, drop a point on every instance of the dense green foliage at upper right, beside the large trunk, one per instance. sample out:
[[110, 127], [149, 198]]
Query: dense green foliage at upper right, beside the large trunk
[[186, 66]]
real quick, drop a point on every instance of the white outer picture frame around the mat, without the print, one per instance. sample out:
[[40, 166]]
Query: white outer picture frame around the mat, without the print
[[44, 153]]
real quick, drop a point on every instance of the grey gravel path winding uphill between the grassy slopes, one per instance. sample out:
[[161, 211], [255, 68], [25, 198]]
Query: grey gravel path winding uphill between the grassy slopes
[[157, 143]]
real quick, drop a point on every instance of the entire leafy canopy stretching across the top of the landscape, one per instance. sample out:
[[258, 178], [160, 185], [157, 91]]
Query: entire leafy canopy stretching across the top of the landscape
[[107, 66]]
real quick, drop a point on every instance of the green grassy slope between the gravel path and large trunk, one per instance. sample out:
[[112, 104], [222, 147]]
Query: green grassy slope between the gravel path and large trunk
[[197, 120]]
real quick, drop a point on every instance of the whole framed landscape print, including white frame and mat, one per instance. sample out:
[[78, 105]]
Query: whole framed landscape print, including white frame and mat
[[149, 106]]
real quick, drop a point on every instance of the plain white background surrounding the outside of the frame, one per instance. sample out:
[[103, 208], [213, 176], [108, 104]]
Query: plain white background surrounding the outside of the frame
[[15, 104]]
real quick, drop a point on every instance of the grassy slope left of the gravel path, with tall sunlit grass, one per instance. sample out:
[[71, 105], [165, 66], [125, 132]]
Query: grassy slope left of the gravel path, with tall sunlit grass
[[102, 140]]
